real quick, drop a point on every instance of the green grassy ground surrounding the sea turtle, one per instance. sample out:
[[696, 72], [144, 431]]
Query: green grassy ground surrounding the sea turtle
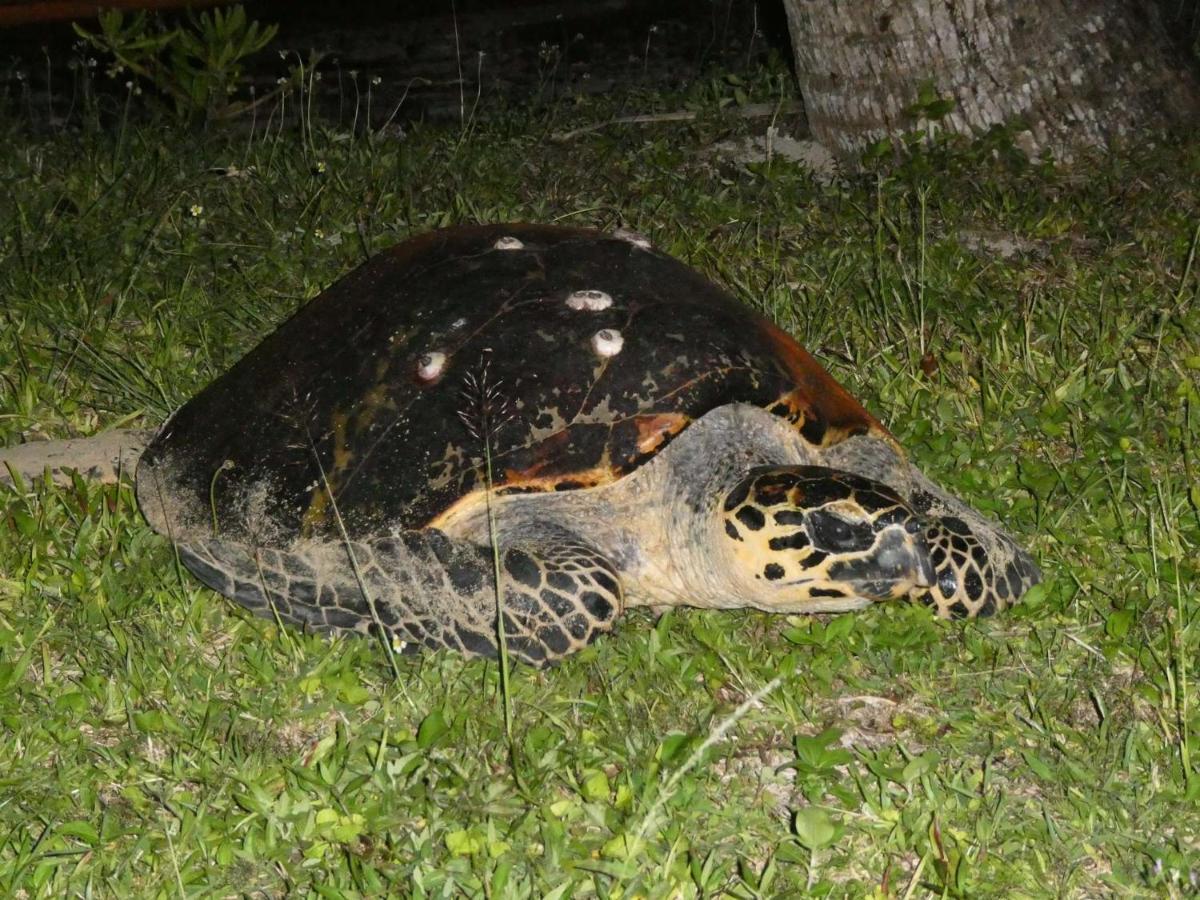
[[161, 743]]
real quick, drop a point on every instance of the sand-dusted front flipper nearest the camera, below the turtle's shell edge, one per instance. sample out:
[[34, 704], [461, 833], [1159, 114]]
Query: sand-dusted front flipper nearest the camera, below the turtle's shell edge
[[424, 589]]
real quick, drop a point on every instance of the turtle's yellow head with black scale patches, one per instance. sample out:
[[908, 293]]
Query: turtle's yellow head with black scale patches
[[811, 539]]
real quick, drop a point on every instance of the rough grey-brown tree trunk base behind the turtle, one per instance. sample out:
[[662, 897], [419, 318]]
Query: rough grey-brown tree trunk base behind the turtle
[[1072, 73]]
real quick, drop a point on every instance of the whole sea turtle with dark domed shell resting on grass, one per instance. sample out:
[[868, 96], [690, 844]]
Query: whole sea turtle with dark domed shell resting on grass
[[597, 421]]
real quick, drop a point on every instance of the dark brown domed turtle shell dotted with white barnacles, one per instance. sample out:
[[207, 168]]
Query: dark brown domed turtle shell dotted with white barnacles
[[562, 358]]
